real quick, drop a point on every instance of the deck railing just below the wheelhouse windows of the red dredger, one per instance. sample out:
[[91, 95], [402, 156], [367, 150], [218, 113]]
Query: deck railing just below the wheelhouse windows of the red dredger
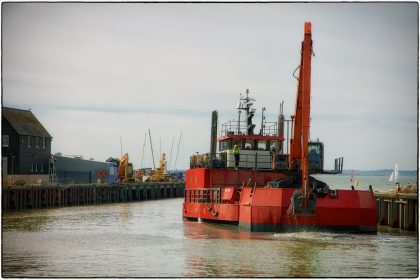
[[223, 160]]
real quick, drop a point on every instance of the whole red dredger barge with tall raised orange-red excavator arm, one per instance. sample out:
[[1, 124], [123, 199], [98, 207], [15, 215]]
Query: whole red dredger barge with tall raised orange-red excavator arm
[[271, 190]]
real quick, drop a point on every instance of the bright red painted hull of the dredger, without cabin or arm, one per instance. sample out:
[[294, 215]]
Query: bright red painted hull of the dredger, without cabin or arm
[[266, 209]]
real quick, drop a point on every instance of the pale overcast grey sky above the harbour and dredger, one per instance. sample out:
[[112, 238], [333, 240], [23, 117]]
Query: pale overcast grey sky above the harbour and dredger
[[92, 72]]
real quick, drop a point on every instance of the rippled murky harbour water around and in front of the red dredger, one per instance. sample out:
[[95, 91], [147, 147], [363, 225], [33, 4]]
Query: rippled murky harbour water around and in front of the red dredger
[[150, 239]]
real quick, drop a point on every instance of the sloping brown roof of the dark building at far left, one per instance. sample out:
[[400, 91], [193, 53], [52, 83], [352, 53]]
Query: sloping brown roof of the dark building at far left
[[24, 122]]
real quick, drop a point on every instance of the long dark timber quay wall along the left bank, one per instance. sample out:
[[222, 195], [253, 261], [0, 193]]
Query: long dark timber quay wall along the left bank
[[16, 198]]
